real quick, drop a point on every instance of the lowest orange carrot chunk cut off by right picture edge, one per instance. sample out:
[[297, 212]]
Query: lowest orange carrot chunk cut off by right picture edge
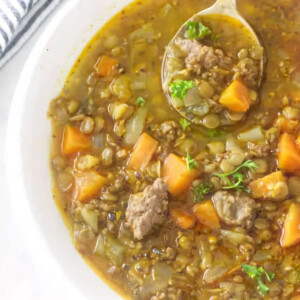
[[291, 229]]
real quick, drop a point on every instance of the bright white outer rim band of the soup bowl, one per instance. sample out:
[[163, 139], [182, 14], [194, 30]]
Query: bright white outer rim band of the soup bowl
[[22, 213]]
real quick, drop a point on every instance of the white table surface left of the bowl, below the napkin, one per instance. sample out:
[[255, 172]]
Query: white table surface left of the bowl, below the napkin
[[22, 276]]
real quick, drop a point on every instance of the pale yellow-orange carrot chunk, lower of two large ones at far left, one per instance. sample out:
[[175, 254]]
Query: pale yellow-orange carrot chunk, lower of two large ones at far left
[[88, 185]]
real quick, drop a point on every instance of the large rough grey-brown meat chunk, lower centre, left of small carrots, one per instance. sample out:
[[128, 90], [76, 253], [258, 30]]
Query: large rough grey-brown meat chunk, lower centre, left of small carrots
[[147, 210]]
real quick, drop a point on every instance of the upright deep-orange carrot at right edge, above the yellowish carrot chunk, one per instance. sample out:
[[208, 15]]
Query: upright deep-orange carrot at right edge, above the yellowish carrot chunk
[[289, 154]]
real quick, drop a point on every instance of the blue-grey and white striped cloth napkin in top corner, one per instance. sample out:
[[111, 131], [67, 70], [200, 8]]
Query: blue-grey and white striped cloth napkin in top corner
[[18, 21]]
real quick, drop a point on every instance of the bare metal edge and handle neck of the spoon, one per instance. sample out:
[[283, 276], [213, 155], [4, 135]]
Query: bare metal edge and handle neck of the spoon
[[221, 7]]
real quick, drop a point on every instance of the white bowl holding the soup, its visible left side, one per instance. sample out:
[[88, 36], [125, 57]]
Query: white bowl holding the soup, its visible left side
[[28, 141]]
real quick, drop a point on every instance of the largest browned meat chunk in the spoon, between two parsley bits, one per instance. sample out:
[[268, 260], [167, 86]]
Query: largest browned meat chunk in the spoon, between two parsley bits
[[199, 56]]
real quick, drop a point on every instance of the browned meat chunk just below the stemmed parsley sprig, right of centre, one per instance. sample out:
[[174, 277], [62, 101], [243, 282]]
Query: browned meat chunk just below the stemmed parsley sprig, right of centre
[[235, 210]]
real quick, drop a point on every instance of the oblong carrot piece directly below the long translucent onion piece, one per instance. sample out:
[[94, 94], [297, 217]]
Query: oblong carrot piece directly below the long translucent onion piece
[[143, 152]]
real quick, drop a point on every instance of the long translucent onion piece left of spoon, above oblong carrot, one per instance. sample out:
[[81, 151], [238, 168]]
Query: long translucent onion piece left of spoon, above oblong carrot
[[135, 126]]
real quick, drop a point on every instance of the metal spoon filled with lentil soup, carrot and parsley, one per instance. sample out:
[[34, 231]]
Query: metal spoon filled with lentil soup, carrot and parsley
[[213, 67]]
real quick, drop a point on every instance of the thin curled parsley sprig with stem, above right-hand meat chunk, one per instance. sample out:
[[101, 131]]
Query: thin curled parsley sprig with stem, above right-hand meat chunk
[[234, 179]]
